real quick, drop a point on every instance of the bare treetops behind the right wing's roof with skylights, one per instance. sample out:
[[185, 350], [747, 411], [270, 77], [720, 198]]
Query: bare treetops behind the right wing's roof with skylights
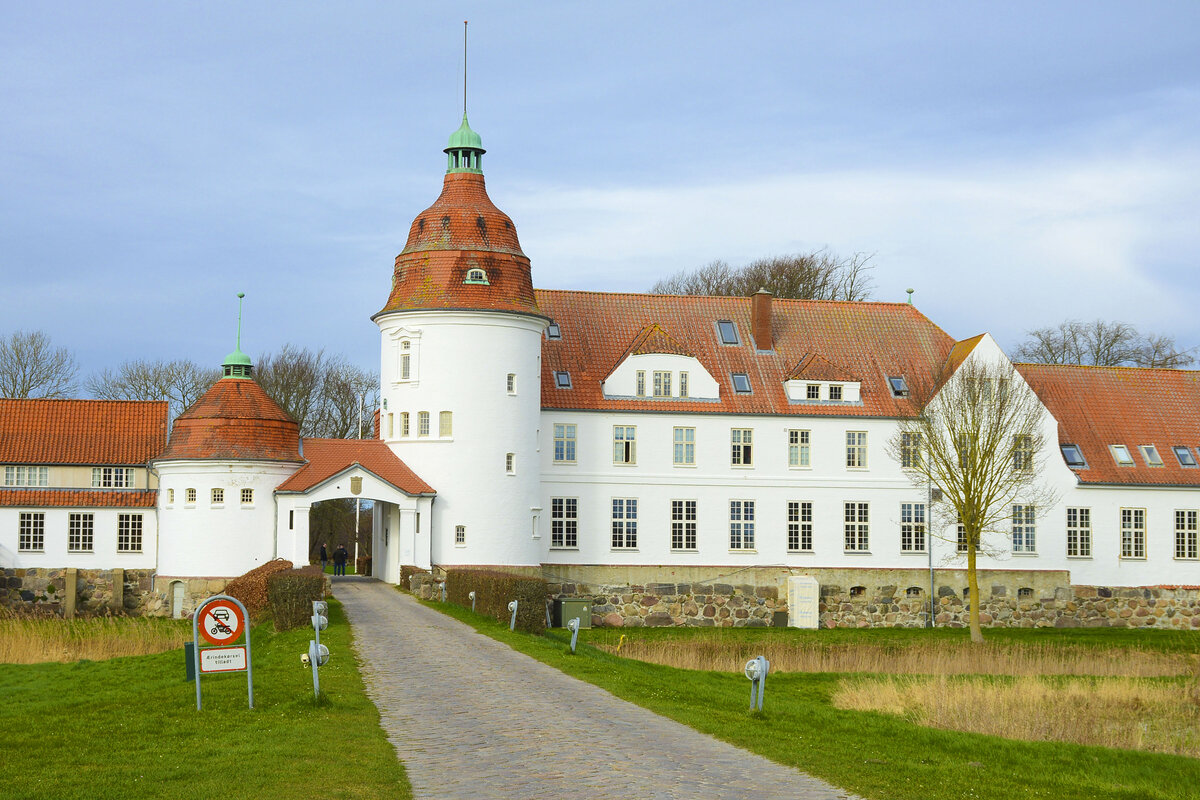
[[1103, 345]]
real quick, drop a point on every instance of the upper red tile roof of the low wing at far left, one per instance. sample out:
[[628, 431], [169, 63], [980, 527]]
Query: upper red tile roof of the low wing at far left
[[81, 432]]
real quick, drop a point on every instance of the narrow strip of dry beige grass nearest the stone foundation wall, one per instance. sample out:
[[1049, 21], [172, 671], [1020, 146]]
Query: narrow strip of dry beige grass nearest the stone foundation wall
[[929, 659]]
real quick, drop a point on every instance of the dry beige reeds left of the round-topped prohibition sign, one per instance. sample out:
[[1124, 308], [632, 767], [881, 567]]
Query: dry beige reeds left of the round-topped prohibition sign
[[29, 640]]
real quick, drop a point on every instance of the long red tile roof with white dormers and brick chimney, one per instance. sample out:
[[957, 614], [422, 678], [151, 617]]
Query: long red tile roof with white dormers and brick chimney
[[869, 341]]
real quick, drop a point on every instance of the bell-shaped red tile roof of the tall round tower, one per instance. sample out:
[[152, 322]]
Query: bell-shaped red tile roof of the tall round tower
[[460, 232]]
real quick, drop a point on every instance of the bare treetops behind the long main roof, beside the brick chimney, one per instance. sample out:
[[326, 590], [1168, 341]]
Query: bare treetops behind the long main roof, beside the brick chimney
[[803, 276]]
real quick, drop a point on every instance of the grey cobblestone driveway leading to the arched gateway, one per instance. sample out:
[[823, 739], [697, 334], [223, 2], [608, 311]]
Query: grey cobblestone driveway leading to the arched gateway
[[473, 719]]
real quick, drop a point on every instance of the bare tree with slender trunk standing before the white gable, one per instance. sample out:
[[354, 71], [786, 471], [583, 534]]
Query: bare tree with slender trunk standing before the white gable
[[981, 441]]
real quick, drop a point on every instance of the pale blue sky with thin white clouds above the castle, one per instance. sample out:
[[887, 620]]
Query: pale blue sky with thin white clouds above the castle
[[1016, 164]]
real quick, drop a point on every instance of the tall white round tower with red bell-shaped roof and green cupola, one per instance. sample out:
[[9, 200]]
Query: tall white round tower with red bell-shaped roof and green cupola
[[460, 370]]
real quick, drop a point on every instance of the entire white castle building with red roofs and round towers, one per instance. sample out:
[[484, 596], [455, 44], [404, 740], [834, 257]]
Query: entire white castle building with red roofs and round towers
[[613, 441]]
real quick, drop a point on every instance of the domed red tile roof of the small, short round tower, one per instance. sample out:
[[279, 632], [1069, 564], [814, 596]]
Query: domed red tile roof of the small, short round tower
[[237, 420]]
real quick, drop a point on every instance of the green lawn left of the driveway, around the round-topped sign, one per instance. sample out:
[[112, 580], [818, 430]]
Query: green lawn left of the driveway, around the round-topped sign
[[129, 729]]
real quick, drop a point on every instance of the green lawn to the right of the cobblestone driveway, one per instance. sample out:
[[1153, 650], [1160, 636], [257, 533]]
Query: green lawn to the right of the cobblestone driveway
[[878, 756]]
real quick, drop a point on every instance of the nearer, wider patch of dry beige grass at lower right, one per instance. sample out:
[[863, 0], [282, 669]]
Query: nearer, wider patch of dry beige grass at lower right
[[1113, 713]]
